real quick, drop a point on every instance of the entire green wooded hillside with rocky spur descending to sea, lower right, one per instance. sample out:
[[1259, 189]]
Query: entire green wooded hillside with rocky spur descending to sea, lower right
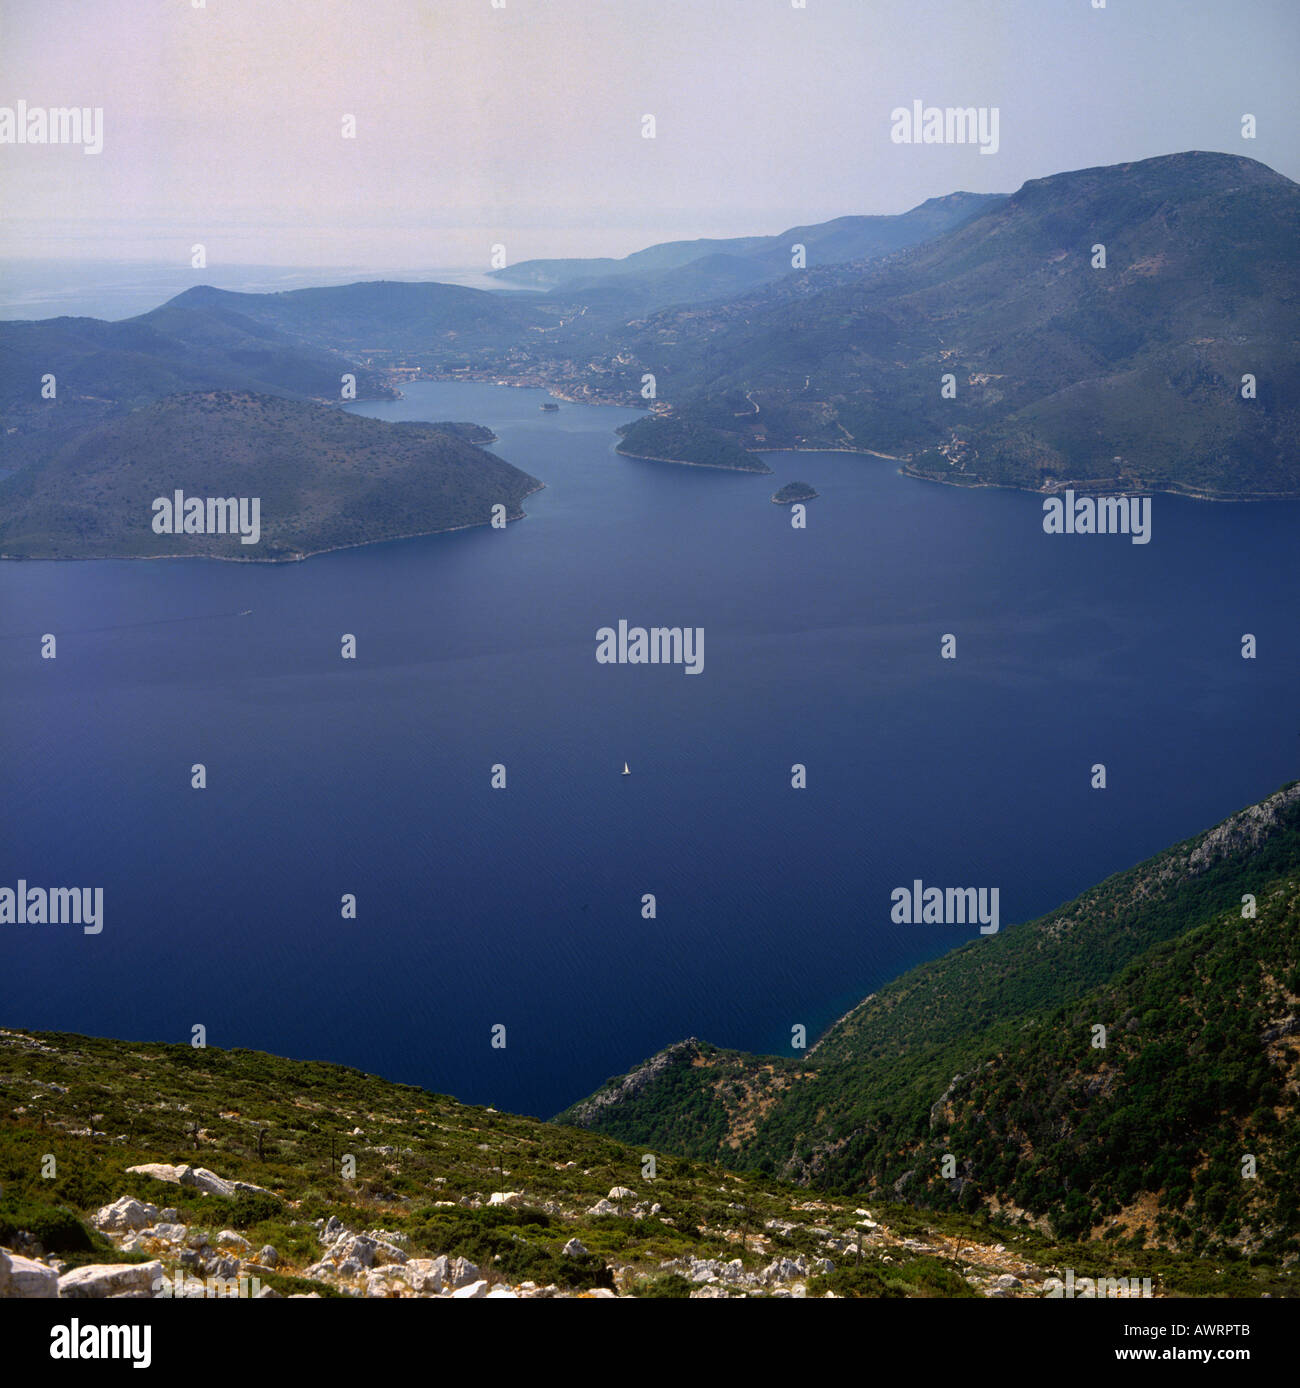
[[991, 1056]]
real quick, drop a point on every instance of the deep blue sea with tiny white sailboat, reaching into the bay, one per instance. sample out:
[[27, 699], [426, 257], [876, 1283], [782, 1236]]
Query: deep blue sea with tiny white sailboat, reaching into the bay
[[522, 907]]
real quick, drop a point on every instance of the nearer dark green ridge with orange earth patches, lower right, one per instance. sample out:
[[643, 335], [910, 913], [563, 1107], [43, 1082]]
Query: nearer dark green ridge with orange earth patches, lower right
[[1199, 1067]]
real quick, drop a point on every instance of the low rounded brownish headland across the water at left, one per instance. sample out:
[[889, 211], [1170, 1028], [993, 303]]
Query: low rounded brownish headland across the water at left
[[324, 480]]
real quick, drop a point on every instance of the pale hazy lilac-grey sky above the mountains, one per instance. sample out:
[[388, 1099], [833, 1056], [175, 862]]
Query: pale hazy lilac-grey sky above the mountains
[[522, 126]]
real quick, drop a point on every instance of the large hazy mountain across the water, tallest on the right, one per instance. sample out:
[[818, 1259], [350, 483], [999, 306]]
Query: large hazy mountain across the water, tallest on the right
[[1127, 375]]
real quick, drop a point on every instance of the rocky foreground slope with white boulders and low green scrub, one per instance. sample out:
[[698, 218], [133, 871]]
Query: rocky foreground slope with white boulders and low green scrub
[[160, 1171]]
